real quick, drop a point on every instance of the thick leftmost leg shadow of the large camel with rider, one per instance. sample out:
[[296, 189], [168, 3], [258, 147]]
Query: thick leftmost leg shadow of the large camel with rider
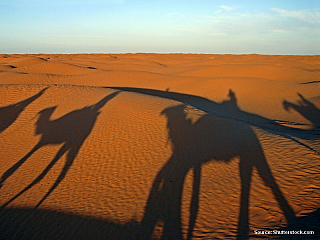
[[165, 201]]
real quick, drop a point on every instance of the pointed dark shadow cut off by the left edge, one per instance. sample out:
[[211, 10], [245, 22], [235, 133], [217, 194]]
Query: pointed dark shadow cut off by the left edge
[[10, 113]]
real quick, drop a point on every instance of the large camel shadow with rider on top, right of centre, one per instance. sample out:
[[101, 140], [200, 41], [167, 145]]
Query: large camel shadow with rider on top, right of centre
[[208, 139]]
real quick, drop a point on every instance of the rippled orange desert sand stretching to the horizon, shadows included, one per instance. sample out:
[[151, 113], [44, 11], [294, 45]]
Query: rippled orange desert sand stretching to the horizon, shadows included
[[159, 146]]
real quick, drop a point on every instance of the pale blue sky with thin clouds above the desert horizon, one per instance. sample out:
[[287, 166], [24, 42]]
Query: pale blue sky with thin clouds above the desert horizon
[[161, 26]]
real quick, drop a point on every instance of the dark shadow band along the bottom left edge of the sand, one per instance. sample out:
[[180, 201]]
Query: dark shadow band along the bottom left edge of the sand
[[38, 224]]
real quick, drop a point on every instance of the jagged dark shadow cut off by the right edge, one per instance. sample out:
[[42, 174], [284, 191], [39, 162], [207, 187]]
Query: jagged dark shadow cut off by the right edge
[[306, 108]]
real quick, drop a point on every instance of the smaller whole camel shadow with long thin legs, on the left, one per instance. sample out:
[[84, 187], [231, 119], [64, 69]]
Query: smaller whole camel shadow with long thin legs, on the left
[[70, 130]]
